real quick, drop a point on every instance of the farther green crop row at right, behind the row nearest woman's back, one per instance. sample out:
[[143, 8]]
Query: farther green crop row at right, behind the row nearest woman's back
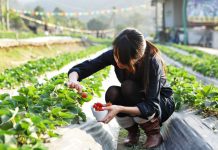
[[201, 62]]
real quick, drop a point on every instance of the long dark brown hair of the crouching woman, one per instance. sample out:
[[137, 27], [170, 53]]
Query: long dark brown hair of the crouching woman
[[130, 45]]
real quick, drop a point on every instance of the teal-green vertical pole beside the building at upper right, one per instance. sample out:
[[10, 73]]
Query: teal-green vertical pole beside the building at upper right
[[184, 20]]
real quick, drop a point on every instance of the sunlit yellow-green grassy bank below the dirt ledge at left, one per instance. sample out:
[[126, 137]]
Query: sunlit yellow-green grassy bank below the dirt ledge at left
[[12, 57]]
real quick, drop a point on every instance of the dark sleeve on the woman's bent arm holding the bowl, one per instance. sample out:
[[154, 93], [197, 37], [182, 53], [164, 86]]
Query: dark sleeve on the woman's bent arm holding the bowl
[[152, 97]]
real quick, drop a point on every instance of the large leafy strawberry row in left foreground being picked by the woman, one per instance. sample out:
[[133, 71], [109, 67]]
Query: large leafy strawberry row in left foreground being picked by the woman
[[30, 118]]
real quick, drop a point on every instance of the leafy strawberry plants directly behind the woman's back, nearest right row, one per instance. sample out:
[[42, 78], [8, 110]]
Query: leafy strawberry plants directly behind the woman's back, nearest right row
[[187, 90]]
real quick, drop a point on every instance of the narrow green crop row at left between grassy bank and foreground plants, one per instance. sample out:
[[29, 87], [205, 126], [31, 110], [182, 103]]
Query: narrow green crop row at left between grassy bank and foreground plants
[[31, 70]]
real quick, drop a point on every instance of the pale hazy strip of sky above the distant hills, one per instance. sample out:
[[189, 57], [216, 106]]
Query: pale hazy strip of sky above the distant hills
[[75, 5]]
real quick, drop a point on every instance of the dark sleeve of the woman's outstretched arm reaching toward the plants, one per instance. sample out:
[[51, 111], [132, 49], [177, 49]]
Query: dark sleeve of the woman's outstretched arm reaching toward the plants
[[89, 67]]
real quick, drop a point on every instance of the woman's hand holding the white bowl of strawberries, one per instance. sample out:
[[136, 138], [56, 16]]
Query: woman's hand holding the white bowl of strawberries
[[113, 111]]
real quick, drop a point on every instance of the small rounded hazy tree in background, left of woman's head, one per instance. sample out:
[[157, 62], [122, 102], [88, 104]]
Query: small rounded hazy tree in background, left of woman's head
[[95, 24]]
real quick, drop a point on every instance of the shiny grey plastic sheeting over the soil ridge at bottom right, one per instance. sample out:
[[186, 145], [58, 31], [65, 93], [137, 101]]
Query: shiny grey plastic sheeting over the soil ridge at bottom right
[[186, 131]]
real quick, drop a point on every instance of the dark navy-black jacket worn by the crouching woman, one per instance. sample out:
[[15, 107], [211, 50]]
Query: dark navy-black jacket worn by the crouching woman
[[150, 103]]
